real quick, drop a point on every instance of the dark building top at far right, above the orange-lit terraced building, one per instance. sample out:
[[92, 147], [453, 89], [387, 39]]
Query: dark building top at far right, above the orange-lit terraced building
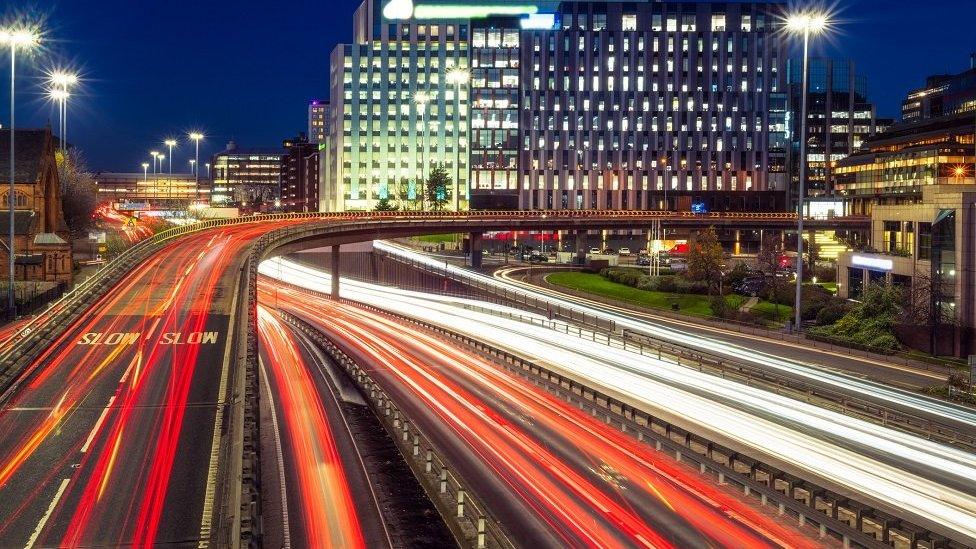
[[943, 95]]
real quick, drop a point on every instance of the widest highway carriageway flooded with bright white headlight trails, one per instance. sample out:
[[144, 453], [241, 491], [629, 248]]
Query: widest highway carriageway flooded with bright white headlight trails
[[866, 461]]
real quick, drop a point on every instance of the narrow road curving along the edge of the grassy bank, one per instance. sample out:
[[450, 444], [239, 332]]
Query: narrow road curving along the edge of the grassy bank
[[887, 372]]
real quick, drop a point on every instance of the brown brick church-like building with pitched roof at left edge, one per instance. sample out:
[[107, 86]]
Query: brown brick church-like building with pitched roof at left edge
[[42, 250]]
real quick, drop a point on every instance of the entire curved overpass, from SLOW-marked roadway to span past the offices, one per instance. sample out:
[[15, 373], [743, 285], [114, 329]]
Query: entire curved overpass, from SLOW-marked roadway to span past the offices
[[155, 358]]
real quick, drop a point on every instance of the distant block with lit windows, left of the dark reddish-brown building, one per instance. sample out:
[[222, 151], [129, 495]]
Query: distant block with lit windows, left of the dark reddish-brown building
[[245, 177]]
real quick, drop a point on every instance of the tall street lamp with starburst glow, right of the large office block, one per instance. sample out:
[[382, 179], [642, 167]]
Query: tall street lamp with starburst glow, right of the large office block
[[806, 23]]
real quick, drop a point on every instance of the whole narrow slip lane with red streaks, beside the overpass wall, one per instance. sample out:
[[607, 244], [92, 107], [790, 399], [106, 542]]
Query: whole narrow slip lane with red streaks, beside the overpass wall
[[326, 487]]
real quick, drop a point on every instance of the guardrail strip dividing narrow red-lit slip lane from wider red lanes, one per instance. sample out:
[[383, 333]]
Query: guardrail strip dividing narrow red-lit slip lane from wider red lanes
[[466, 516]]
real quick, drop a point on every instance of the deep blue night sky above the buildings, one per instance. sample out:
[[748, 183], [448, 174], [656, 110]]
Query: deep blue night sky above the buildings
[[245, 69]]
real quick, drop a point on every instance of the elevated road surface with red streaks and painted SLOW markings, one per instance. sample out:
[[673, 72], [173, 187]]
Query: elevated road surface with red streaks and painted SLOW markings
[[109, 438]]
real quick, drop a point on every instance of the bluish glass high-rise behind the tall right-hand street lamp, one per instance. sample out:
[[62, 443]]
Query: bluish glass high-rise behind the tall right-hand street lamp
[[839, 118]]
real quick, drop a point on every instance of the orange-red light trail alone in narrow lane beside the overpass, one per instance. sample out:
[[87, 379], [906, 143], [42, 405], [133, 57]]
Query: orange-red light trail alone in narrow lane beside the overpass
[[330, 518]]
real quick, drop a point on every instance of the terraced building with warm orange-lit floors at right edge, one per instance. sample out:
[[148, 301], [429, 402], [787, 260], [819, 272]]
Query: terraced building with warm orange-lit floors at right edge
[[898, 164]]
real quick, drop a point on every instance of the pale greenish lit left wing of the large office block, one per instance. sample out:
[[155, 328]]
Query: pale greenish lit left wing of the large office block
[[393, 113]]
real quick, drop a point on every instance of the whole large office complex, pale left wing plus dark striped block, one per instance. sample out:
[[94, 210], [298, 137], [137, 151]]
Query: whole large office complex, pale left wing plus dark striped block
[[616, 105]]
